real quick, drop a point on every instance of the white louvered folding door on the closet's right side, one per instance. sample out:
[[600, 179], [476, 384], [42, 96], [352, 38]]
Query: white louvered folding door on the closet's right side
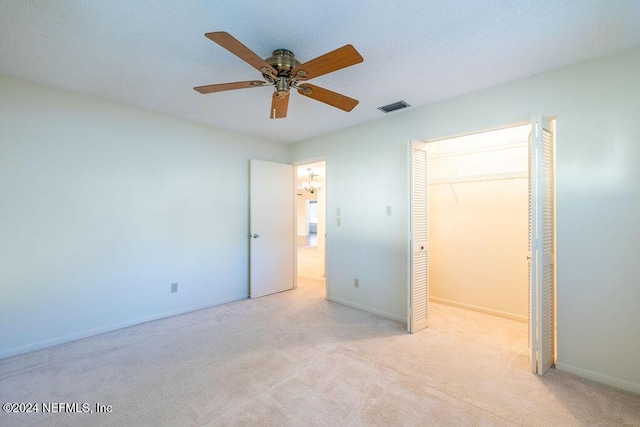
[[541, 256]]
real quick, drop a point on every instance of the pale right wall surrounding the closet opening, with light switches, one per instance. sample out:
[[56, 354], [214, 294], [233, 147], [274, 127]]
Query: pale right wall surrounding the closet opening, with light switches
[[598, 204]]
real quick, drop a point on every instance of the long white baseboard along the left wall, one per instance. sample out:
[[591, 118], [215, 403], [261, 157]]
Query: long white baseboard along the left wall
[[110, 328]]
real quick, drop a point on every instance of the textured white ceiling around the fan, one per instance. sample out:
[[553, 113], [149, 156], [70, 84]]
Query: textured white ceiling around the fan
[[151, 53]]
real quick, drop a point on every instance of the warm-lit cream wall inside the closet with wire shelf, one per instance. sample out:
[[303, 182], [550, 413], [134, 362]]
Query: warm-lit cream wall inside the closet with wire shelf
[[478, 222]]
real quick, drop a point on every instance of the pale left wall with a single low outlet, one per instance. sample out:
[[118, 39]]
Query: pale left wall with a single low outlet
[[103, 206]]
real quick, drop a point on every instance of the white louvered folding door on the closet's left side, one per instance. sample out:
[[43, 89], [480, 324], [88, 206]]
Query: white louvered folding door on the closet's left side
[[418, 277]]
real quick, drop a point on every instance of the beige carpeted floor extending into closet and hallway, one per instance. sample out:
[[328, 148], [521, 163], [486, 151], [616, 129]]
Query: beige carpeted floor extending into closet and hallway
[[296, 359]]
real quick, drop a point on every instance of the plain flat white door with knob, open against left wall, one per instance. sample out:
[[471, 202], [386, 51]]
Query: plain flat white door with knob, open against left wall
[[271, 228]]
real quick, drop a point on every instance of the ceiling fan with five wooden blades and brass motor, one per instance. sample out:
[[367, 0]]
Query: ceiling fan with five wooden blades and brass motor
[[284, 71]]
